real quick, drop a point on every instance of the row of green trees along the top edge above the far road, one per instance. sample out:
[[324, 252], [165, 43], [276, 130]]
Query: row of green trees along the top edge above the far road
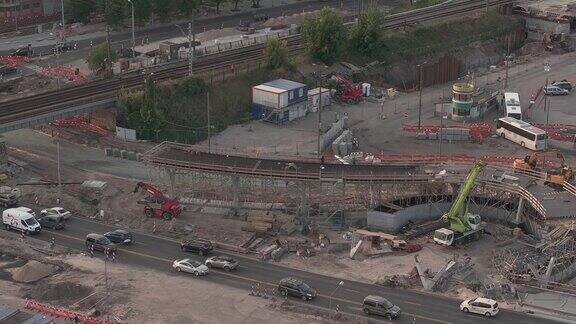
[[115, 11]]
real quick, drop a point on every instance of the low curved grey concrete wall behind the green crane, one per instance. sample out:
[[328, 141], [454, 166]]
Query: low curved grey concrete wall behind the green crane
[[392, 223]]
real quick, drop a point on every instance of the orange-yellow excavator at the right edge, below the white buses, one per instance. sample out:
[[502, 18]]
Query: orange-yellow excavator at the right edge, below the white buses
[[555, 174]]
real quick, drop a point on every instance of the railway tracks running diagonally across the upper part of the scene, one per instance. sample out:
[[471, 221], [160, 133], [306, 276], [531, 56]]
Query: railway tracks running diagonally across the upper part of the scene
[[93, 91]]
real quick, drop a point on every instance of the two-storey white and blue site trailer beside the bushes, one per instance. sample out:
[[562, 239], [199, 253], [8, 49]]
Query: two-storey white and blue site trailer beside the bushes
[[279, 101]]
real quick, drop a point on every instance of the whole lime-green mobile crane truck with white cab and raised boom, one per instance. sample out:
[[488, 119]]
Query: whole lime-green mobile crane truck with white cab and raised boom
[[464, 226]]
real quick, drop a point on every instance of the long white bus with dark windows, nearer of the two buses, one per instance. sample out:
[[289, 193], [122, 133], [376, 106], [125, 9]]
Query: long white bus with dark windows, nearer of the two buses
[[522, 133]]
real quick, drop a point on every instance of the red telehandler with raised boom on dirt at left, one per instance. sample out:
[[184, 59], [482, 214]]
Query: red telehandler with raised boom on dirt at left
[[157, 204]]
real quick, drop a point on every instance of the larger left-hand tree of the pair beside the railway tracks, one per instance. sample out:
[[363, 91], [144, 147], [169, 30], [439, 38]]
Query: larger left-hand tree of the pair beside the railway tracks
[[324, 36]]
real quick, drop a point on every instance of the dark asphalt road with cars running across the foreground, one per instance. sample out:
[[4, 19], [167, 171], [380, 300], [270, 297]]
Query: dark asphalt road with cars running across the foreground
[[158, 253]]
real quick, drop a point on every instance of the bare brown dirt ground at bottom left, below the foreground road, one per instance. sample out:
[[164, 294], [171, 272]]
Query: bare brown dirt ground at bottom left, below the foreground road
[[79, 284]]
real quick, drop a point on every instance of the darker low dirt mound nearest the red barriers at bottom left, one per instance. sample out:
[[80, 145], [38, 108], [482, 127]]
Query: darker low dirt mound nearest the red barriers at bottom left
[[60, 292]]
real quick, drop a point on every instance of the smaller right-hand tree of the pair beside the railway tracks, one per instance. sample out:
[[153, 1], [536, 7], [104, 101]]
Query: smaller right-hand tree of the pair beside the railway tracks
[[366, 35]]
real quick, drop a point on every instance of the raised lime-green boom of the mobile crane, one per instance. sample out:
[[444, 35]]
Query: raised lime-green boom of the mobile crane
[[456, 216]]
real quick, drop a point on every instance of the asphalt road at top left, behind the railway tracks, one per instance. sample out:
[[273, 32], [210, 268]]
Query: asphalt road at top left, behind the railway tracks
[[162, 32]]
